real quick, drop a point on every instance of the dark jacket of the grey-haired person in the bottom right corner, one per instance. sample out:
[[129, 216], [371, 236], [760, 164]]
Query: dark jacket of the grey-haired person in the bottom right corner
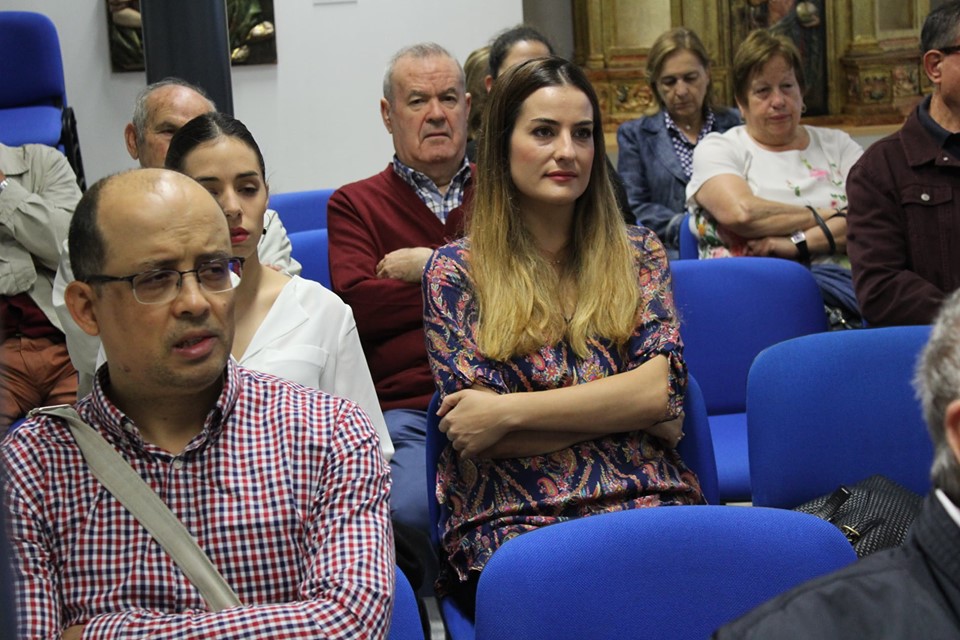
[[908, 592]]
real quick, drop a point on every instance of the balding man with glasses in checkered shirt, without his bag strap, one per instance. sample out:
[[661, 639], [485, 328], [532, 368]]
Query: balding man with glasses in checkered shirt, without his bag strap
[[283, 487]]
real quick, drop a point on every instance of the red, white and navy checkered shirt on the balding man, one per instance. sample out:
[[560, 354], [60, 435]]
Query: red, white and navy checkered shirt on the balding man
[[285, 490]]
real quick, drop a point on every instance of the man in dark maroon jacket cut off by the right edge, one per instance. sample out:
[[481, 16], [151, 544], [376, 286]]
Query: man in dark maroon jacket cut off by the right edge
[[903, 234]]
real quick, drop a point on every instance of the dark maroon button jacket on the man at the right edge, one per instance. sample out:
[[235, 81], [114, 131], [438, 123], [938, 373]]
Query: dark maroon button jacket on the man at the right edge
[[903, 227]]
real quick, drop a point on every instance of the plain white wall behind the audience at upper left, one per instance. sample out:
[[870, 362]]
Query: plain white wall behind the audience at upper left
[[315, 114]]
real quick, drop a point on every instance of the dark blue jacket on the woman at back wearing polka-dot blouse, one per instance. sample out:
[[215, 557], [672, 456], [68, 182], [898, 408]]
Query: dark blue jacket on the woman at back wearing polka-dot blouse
[[654, 178]]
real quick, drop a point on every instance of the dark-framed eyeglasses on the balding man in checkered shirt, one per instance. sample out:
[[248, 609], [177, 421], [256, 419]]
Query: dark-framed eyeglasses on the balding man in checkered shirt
[[162, 285]]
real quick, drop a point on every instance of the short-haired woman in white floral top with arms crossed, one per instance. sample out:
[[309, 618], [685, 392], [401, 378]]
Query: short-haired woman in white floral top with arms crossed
[[773, 187]]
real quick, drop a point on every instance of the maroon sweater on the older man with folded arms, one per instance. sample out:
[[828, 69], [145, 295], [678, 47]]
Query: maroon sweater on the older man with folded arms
[[367, 220]]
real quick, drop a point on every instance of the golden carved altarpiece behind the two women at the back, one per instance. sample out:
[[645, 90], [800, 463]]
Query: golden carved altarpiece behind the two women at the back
[[872, 60]]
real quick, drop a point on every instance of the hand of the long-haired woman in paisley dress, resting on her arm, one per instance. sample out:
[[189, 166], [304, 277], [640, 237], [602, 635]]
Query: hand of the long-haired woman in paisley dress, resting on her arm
[[472, 420]]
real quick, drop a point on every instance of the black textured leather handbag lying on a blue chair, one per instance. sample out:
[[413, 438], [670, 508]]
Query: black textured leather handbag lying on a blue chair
[[873, 514]]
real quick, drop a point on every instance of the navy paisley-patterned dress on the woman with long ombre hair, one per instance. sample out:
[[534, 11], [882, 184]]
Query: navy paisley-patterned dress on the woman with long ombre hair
[[492, 500]]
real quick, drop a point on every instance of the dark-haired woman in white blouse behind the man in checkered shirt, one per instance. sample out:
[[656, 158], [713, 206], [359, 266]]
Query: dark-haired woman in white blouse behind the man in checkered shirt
[[289, 327]]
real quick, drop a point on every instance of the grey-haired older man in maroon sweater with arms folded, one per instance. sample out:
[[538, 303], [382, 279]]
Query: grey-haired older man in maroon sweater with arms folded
[[383, 229]]
